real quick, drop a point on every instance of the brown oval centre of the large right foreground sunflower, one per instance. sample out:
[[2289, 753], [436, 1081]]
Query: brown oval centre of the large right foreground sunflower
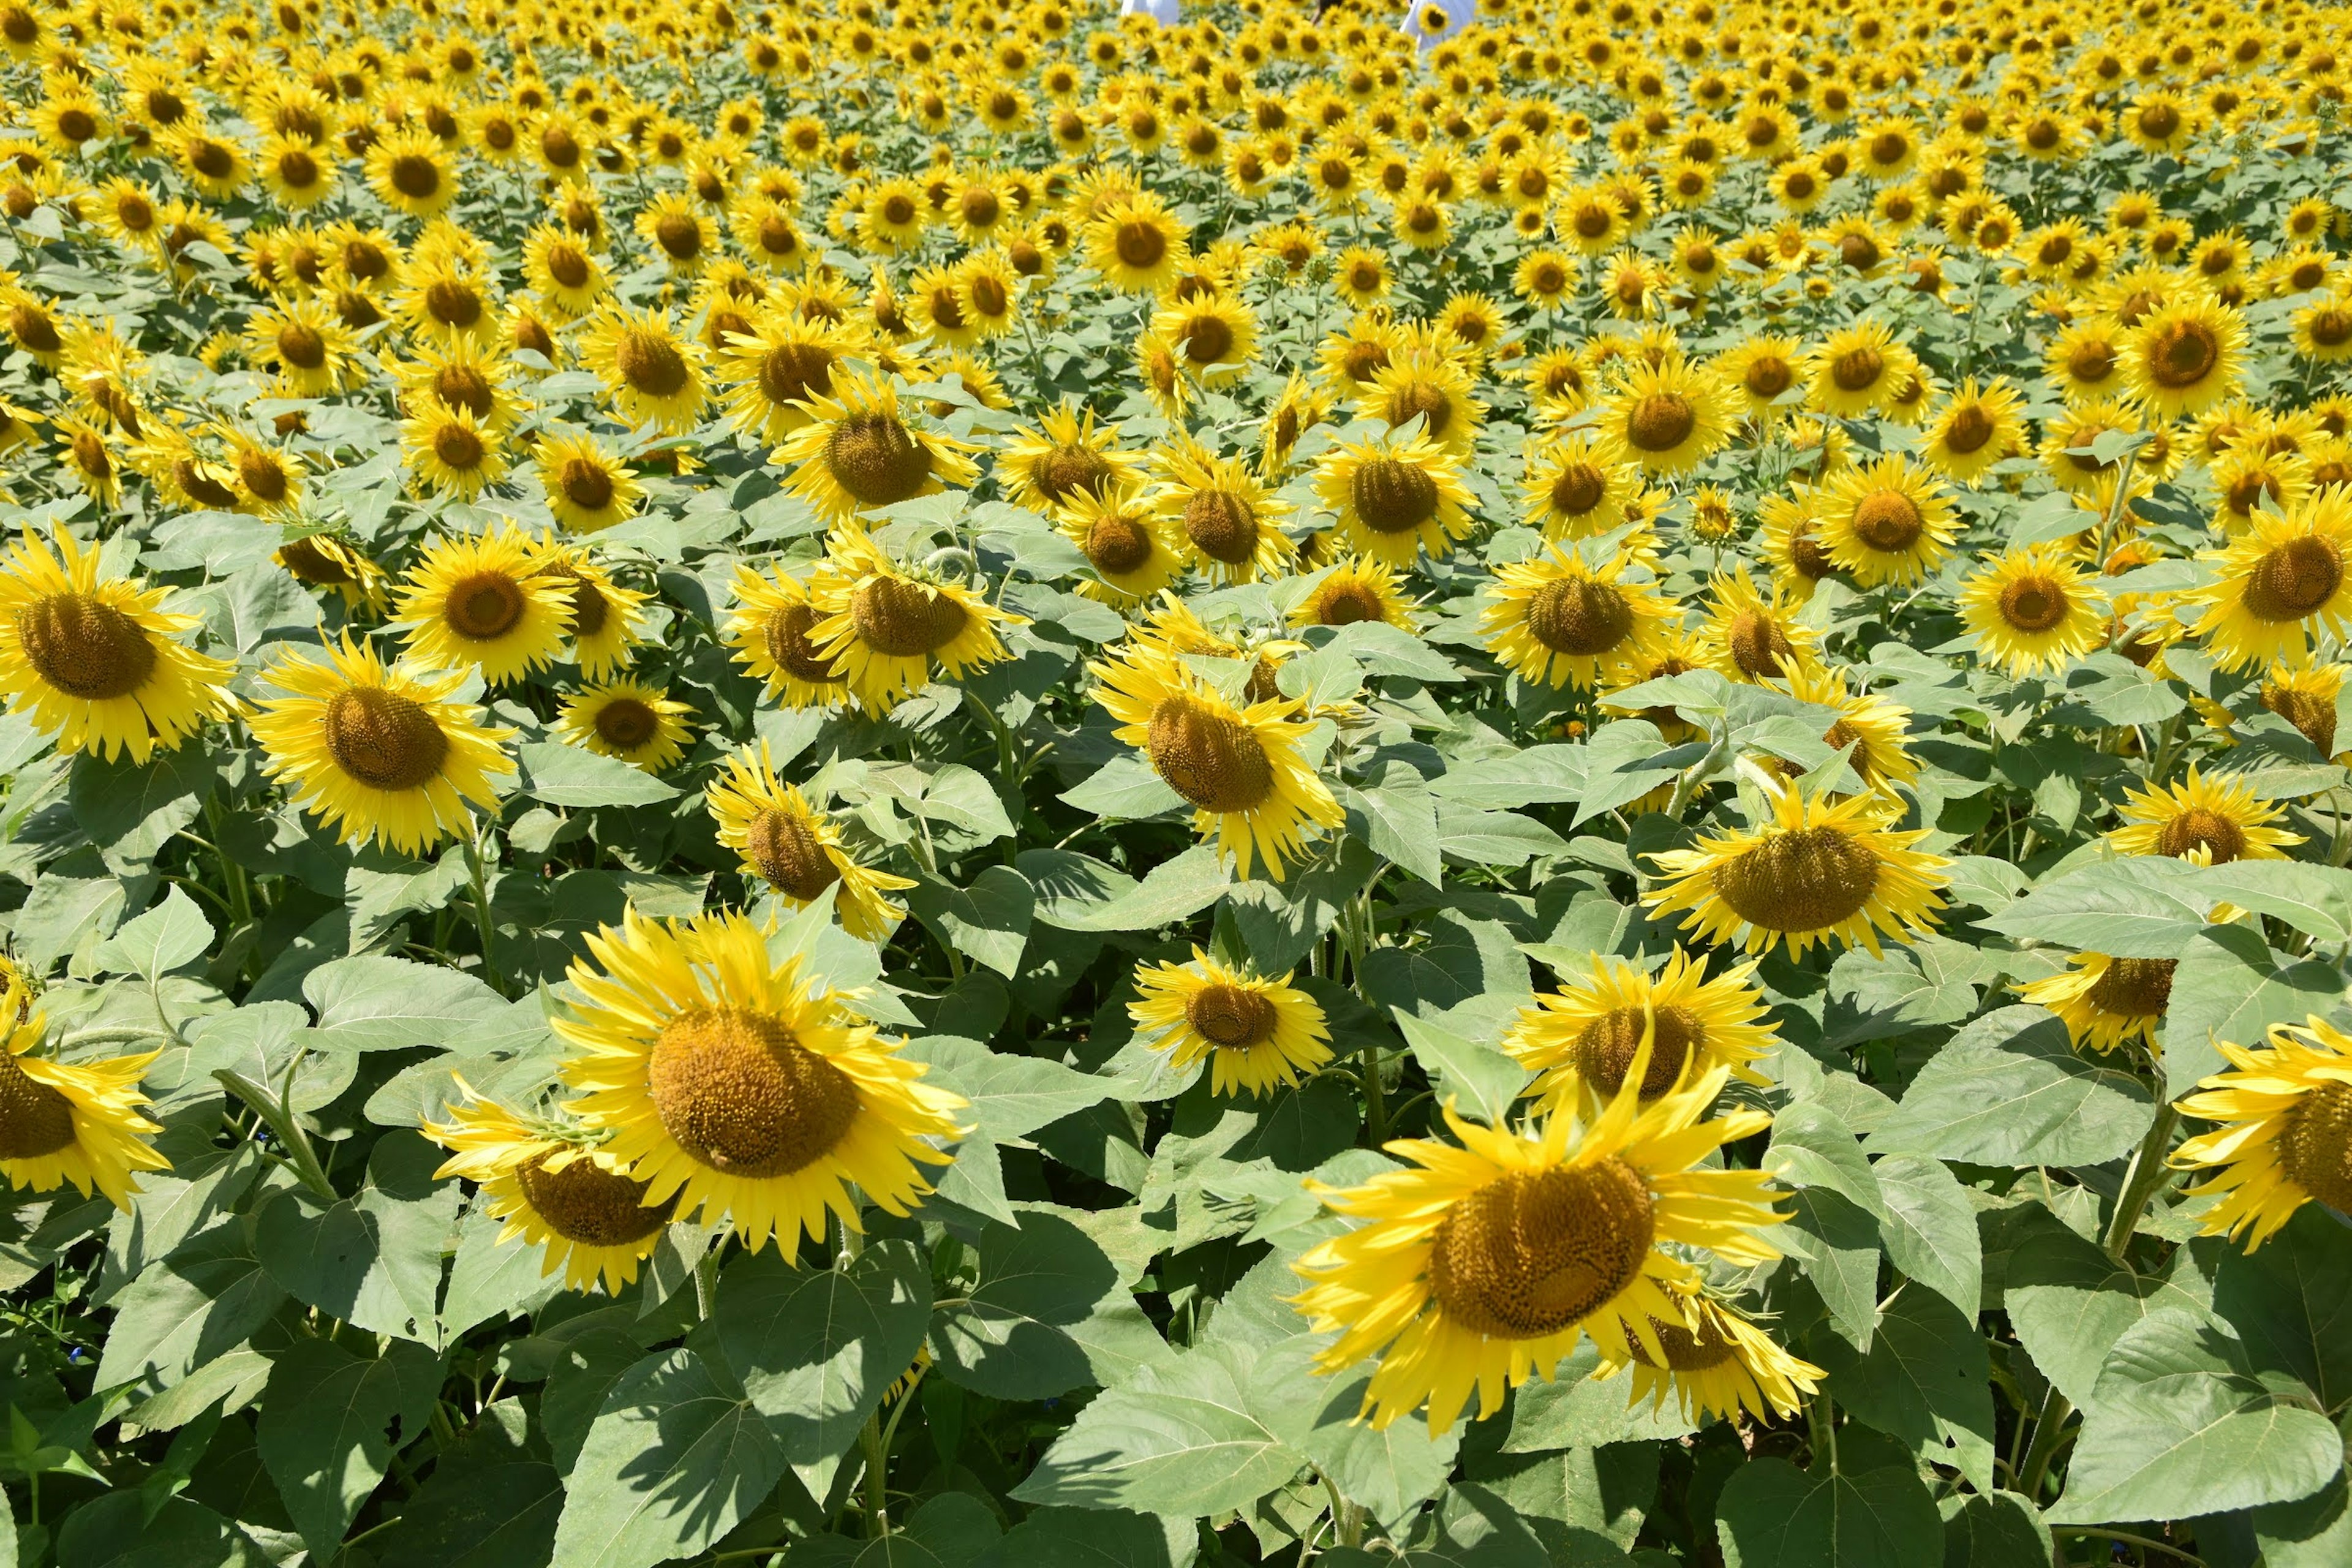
[[1535, 1252]]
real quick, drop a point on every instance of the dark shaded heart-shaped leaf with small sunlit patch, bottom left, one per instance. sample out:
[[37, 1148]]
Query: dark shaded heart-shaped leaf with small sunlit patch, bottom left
[[333, 1423]]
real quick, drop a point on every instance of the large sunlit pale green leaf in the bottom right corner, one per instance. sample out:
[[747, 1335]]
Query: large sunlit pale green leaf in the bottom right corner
[[2181, 1426]]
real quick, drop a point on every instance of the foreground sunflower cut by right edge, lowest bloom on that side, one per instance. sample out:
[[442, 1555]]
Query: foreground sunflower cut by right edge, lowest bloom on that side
[[2283, 1111]]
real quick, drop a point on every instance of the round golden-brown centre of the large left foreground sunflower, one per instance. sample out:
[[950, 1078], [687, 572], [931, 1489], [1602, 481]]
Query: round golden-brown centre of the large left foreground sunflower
[[747, 1099]]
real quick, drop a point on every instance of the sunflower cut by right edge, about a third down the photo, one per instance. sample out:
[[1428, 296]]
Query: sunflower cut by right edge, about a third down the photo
[[2280, 584]]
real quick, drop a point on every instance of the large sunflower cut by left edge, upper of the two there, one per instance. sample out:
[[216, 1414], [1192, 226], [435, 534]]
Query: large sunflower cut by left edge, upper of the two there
[[95, 662]]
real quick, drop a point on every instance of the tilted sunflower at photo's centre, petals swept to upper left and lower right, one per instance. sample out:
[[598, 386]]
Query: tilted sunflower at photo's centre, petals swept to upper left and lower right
[[1238, 768]]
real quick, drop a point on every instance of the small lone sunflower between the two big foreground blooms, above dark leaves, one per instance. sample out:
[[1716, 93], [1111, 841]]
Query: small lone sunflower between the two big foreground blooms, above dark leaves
[[1255, 1033]]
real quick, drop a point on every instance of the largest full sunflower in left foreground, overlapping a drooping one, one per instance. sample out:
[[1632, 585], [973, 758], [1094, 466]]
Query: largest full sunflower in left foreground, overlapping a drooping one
[[737, 1085]]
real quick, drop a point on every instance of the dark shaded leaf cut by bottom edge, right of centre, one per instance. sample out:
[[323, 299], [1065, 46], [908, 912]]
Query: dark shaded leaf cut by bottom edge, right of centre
[[1775, 1515]]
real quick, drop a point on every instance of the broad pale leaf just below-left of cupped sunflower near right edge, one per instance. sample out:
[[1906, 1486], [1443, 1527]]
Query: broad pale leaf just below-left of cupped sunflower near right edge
[[2012, 1092]]
